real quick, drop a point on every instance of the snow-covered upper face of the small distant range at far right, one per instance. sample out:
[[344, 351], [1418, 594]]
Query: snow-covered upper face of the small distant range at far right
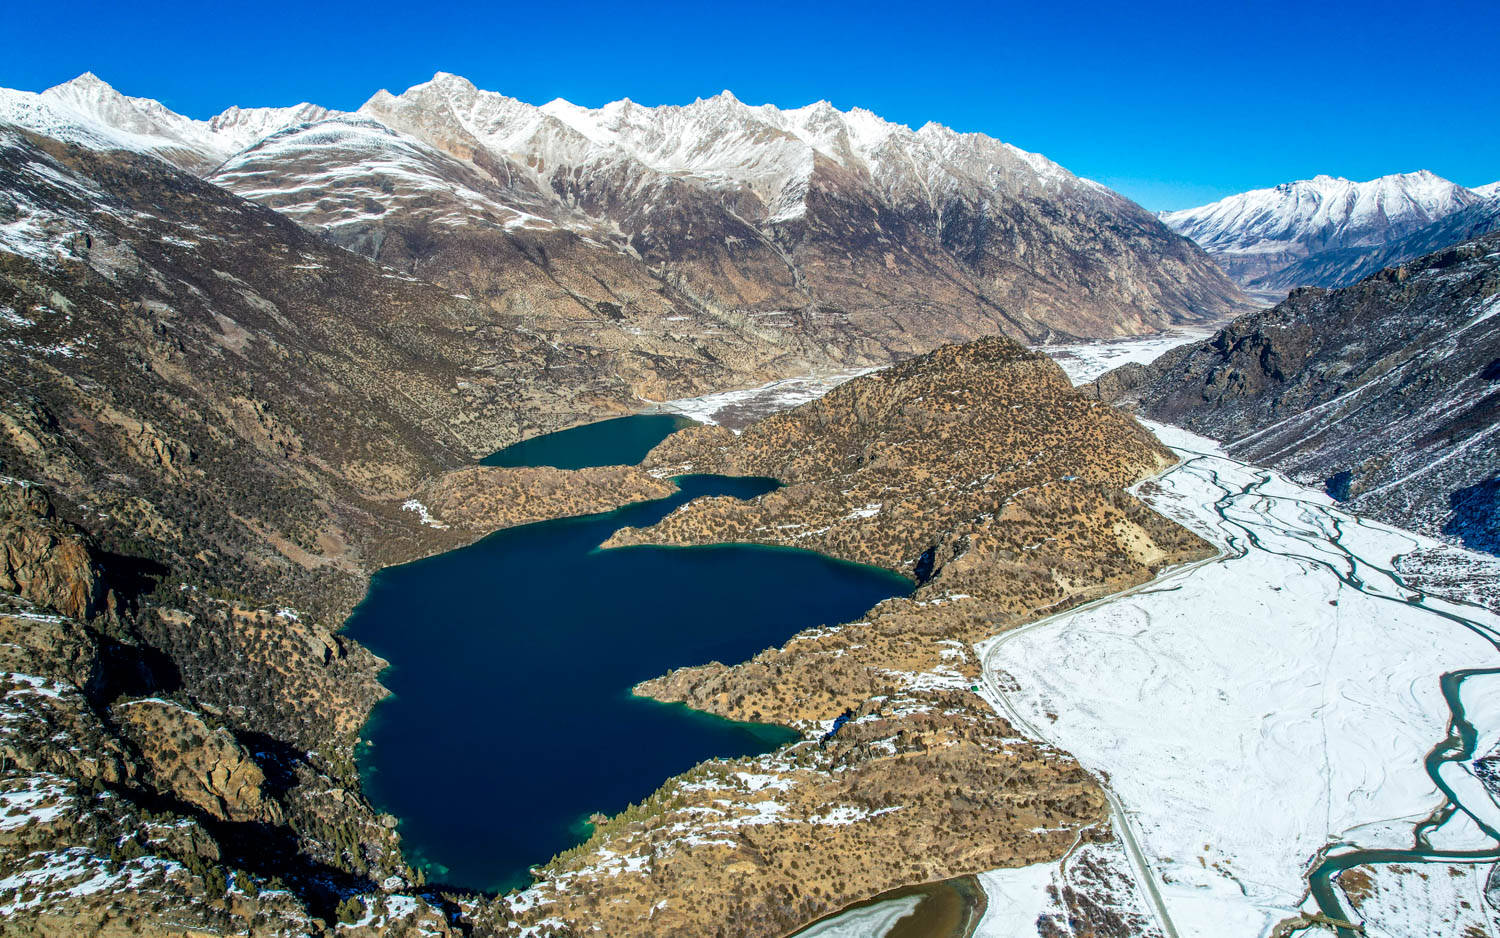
[[1258, 235]]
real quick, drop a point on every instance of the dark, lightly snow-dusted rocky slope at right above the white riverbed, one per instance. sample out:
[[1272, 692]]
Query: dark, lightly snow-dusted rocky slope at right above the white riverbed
[[1385, 392]]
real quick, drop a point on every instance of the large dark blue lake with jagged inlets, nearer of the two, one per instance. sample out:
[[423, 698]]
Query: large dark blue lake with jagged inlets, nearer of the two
[[512, 666]]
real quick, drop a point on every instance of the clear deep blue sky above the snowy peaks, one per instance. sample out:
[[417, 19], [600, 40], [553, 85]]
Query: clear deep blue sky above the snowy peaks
[[1174, 104]]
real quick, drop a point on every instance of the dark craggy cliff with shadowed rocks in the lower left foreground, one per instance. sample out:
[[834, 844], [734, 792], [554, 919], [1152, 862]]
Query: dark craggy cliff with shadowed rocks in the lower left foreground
[[143, 789]]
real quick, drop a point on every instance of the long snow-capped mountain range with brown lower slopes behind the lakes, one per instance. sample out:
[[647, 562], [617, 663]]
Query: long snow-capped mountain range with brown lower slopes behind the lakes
[[908, 238]]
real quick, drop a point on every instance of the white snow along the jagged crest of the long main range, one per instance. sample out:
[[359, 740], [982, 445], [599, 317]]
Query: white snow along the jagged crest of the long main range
[[718, 142]]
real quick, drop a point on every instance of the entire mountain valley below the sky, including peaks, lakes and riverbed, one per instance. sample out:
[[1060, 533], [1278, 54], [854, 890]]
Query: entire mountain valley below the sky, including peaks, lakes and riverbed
[[1142, 592]]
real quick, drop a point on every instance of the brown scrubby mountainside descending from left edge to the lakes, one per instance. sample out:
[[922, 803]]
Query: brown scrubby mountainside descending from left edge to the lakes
[[223, 392]]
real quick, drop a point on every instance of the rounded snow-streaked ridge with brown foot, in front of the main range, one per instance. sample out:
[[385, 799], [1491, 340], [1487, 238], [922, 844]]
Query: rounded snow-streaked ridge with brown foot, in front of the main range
[[568, 283]]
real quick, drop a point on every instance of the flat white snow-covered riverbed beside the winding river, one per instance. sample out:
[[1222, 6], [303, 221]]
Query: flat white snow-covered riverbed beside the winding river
[[1250, 712]]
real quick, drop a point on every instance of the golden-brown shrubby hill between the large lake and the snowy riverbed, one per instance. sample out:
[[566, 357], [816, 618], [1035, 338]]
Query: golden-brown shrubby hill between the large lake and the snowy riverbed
[[979, 472]]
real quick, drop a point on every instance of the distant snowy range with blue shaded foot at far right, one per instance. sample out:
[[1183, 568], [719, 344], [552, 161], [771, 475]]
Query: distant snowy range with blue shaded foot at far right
[[1331, 232]]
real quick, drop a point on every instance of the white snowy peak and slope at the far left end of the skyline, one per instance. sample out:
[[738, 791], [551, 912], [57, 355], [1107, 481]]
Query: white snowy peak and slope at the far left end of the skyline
[[89, 112]]
